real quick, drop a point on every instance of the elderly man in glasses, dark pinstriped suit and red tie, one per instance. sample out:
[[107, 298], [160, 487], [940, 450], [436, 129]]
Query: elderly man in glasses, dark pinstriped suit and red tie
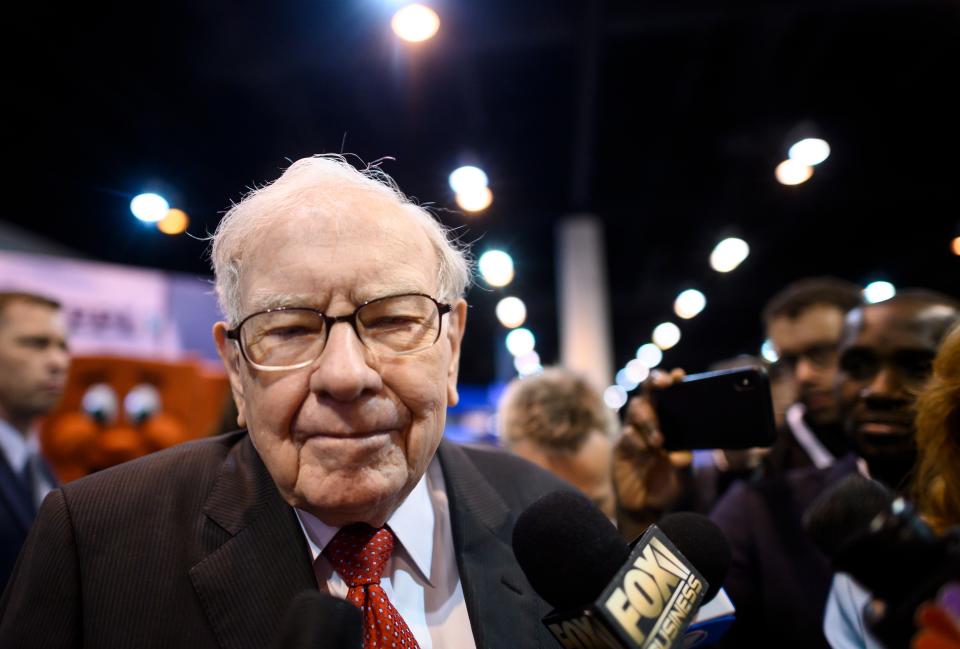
[[345, 317]]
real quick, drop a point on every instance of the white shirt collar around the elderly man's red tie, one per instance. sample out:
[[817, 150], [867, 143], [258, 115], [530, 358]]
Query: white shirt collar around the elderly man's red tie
[[412, 524]]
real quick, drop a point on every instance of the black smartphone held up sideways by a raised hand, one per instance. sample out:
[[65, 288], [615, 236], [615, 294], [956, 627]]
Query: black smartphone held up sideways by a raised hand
[[724, 409]]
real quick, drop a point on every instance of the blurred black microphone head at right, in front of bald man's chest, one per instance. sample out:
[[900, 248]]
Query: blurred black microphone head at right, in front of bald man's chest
[[844, 511]]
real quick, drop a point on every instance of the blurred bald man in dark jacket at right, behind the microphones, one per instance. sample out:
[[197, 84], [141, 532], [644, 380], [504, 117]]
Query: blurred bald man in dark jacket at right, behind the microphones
[[779, 580]]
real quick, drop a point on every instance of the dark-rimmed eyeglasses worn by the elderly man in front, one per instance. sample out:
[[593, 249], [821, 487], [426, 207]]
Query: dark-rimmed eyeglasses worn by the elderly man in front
[[288, 338]]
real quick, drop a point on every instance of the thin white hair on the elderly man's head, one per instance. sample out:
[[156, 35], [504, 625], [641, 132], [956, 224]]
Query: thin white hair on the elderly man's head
[[318, 182]]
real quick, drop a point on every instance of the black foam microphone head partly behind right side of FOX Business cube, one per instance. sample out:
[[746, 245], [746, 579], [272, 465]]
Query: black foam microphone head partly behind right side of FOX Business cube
[[703, 544]]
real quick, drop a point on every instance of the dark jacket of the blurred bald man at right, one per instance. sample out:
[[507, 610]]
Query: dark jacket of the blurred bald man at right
[[778, 580]]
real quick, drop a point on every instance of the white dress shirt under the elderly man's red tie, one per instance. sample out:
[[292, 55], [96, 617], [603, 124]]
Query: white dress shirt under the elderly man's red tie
[[421, 578]]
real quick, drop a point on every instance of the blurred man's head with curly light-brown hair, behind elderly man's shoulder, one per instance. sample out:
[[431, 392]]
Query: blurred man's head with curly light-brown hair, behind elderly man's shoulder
[[558, 421]]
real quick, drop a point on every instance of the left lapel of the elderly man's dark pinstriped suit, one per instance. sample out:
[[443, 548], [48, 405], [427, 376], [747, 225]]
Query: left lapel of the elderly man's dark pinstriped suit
[[257, 558]]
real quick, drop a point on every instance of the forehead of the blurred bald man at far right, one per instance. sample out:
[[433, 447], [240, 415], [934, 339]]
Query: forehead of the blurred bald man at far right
[[897, 325]]
